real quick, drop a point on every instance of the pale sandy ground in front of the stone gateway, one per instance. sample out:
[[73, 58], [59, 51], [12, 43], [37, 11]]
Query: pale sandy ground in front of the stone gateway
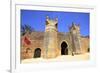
[[59, 58]]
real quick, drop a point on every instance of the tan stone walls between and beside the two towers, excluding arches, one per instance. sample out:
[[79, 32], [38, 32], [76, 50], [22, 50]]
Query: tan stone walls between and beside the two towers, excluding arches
[[37, 41]]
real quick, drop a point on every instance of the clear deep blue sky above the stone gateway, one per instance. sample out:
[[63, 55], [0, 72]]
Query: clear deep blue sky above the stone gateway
[[36, 19]]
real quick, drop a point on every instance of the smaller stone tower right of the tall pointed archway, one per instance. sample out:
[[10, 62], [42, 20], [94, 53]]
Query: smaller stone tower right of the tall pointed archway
[[75, 35]]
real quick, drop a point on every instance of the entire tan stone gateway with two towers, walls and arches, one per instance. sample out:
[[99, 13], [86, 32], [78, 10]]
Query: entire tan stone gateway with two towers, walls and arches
[[51, 43]]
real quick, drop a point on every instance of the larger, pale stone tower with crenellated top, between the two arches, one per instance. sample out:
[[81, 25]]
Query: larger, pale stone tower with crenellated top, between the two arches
[[50, 38]]
